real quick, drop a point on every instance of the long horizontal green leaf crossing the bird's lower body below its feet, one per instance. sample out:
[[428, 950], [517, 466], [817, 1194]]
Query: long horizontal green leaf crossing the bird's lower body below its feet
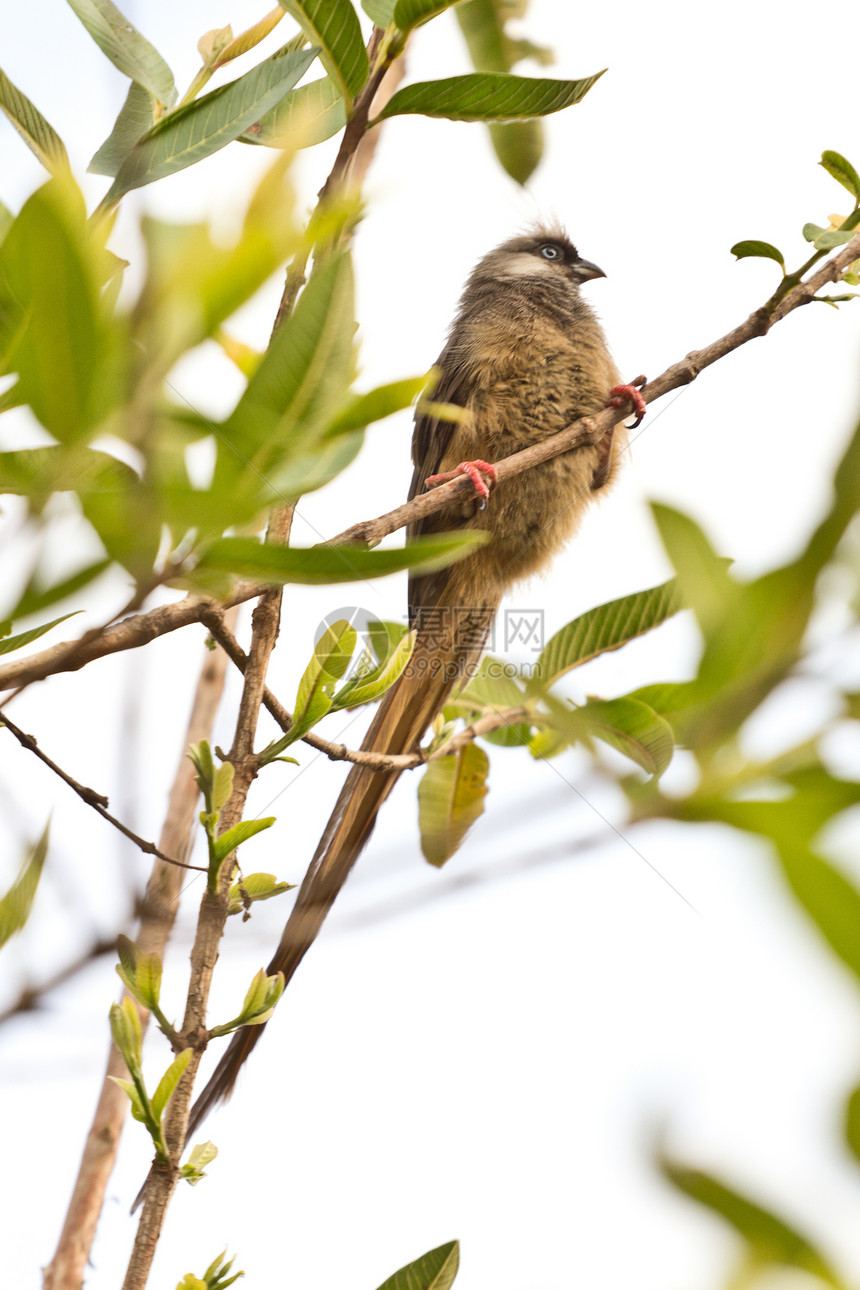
[[247, 558]]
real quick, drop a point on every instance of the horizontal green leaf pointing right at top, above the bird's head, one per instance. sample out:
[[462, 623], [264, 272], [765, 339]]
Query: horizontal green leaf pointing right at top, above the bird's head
[[488, 97]]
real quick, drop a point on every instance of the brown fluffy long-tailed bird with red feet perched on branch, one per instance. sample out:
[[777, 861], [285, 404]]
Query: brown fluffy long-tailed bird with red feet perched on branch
[[525, 358]]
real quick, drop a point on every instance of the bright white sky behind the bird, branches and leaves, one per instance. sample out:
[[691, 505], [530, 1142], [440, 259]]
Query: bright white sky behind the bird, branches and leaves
[[485, 1062]]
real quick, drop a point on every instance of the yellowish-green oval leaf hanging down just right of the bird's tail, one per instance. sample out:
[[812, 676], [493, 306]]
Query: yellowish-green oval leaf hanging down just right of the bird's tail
[[451, 799]]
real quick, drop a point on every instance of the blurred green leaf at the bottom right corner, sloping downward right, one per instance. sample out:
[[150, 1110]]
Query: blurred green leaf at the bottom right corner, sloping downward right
[[769, 1239]]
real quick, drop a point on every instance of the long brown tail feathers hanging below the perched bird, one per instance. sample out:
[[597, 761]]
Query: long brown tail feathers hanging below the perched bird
[[404, 715]]
